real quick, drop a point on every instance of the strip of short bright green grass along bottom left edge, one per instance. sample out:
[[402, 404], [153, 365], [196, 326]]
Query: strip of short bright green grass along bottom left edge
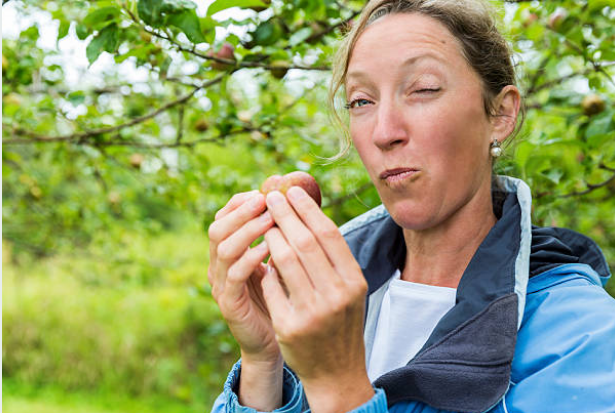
[[25, 398]]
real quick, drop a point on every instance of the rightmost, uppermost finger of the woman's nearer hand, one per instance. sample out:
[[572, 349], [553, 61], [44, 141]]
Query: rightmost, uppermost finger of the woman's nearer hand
[[324, 229]]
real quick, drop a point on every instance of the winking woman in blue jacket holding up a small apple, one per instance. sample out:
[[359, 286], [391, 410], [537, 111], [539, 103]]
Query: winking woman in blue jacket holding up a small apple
[[444, 298]]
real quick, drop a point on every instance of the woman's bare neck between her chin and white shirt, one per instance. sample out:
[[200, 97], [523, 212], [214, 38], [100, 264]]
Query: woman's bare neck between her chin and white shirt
[[440, 255]]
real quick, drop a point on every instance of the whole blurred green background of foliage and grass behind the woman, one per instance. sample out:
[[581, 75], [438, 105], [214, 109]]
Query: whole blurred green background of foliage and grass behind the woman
[[126, 124]]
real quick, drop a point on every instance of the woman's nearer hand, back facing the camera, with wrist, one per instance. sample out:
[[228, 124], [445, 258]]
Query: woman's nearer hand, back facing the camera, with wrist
[[318, 306]]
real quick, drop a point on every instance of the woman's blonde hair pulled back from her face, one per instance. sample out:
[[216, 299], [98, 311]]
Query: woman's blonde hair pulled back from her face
[[472, 22]]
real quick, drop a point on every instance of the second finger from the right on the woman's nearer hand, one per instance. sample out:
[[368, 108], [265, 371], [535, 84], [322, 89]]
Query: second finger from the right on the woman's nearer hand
[[303, 242]]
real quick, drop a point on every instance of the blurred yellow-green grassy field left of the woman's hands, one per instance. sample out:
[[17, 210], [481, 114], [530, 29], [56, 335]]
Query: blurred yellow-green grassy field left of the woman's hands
[[118, 327]]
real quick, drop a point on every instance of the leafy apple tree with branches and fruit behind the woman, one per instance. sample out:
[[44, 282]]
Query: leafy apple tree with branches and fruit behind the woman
[[147, 114]]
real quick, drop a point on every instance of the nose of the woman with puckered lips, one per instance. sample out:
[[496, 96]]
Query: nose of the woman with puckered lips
[[391, 129]]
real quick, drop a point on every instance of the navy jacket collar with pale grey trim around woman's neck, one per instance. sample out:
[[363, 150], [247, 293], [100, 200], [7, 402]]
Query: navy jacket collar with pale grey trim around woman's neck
[[466, 363]]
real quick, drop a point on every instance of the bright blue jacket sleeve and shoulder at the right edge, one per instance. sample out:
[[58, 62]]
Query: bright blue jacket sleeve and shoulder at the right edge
[[565, 356]]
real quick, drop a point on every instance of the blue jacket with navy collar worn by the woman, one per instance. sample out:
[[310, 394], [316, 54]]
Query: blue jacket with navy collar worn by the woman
[[532, 329]]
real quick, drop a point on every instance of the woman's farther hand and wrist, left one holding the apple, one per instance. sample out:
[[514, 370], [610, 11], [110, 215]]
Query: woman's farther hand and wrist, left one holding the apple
[[235, 273]]
